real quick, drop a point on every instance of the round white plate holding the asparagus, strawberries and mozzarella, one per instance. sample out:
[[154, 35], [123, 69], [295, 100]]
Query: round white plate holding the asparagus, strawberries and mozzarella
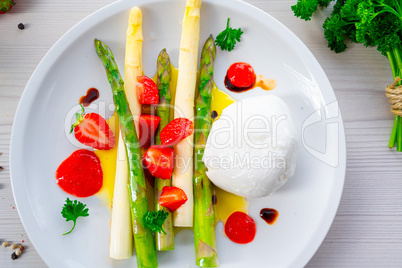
[[307, 203]]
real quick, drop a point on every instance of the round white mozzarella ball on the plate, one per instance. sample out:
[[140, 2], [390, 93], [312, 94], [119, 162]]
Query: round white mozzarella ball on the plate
[[252, 148]]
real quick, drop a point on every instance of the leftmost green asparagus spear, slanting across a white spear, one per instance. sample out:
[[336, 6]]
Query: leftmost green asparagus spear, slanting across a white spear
[[144, 243]]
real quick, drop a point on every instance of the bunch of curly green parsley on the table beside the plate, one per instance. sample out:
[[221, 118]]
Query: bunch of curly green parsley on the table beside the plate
[[376, 23]]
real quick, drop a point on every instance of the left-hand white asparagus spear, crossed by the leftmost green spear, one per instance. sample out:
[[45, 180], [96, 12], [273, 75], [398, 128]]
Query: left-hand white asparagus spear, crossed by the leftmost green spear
[[121, 236]]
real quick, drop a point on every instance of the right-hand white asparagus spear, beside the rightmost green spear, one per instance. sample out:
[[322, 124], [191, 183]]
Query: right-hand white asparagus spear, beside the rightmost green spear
[[184, 107]]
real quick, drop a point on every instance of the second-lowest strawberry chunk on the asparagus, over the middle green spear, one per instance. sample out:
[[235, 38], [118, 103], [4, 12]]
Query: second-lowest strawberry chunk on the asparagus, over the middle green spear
[[159, 160]]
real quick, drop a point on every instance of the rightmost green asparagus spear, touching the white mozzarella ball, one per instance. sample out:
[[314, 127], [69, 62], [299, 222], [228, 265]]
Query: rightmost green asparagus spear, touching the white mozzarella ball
[[204, 216]]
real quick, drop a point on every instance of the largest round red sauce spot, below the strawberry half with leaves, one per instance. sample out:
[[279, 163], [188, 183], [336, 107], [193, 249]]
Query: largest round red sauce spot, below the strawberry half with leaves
[[80, 174]]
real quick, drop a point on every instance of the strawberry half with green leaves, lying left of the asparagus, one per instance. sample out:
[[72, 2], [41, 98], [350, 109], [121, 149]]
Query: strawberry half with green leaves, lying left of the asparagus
[[92, 130]]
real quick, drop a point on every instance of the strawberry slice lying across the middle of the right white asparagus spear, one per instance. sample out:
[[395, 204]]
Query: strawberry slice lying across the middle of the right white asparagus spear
[[176, 130]]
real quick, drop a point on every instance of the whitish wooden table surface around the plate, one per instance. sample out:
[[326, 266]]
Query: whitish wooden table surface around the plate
[[367, 230]]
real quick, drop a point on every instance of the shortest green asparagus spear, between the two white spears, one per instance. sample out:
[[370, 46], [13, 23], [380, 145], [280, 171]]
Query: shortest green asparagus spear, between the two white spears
[[163, 241]]
